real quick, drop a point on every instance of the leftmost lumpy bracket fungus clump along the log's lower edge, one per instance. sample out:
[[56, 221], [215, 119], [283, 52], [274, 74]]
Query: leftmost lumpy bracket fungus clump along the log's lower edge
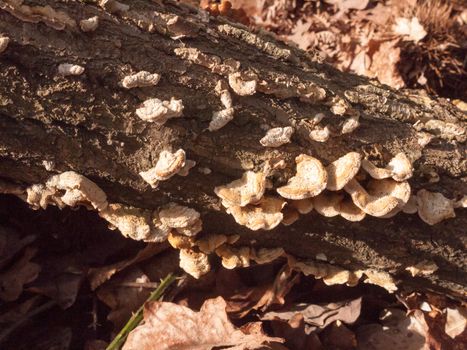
[[67, 189]]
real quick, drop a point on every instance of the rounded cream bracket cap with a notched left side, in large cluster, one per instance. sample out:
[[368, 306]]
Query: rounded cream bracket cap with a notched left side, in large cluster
[[309, 181]]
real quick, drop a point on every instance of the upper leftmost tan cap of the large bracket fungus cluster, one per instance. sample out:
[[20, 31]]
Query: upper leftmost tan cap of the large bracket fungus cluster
[[248, 189]]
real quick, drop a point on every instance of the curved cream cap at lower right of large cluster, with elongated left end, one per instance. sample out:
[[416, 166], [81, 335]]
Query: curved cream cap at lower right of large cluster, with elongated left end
[[372, 205]]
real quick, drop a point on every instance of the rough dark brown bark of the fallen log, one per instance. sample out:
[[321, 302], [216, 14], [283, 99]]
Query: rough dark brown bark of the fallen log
[[87, 123]]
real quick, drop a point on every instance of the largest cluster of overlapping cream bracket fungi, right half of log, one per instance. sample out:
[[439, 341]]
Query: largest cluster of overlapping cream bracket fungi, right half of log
[[333, 190]]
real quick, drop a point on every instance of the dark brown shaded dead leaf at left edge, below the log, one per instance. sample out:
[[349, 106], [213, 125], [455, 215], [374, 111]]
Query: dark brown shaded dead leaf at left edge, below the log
[[22, 272]]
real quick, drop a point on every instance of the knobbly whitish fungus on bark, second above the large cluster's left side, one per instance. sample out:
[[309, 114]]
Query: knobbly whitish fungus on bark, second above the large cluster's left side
[[157, 111]]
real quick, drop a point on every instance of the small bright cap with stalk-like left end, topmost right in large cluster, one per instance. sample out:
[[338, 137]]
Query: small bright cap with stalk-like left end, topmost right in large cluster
[[399, 168]]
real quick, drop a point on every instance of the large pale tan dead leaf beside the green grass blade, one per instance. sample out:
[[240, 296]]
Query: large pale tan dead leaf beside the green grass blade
[[172, 326]]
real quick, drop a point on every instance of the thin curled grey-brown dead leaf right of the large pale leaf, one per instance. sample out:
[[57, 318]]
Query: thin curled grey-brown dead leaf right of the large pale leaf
[[317, 316]]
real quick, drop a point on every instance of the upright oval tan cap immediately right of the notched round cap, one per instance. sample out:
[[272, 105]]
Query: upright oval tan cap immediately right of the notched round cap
[[342, 170]]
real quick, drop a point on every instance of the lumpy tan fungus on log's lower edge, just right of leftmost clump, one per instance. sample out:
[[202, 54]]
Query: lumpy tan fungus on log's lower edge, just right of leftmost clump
[[136, 223]]
